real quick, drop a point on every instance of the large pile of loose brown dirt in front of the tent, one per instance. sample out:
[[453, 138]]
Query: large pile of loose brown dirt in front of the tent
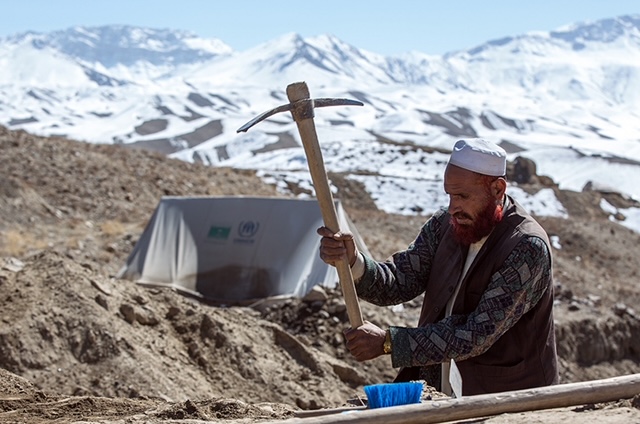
[[67, 328]]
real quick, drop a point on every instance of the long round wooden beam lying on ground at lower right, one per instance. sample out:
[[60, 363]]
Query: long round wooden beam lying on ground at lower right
[[558, 396]]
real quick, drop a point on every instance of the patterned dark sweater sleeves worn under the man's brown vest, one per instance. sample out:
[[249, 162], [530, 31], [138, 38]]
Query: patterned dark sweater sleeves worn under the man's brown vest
[[513, 291]]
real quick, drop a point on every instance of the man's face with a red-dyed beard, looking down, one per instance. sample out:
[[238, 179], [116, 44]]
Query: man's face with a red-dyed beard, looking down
[[475, 203]]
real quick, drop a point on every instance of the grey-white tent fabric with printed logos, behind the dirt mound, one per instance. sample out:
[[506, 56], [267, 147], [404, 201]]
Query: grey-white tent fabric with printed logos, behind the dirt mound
[[234, 249]]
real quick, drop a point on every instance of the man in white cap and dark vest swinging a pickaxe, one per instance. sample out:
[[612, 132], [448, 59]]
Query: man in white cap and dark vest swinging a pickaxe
[[484, 266]]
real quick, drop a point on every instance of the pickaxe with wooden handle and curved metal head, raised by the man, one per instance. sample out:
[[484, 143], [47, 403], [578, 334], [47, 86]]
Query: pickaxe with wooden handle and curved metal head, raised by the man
[[301, 107]]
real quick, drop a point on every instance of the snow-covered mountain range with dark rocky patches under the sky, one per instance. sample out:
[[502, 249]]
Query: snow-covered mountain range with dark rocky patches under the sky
[[568, 99]]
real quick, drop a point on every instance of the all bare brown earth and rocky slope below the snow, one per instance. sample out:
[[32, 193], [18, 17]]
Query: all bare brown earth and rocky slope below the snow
[[78, 345]]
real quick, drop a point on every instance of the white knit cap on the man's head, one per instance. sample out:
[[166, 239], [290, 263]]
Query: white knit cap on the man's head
[[481, 156]]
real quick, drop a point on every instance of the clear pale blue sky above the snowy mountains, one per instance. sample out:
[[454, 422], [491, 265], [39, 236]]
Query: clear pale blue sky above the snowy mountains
[[389, 27]]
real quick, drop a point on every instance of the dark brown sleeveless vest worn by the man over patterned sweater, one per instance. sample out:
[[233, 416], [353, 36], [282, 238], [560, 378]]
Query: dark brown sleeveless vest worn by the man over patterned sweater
[[525, 356]]
